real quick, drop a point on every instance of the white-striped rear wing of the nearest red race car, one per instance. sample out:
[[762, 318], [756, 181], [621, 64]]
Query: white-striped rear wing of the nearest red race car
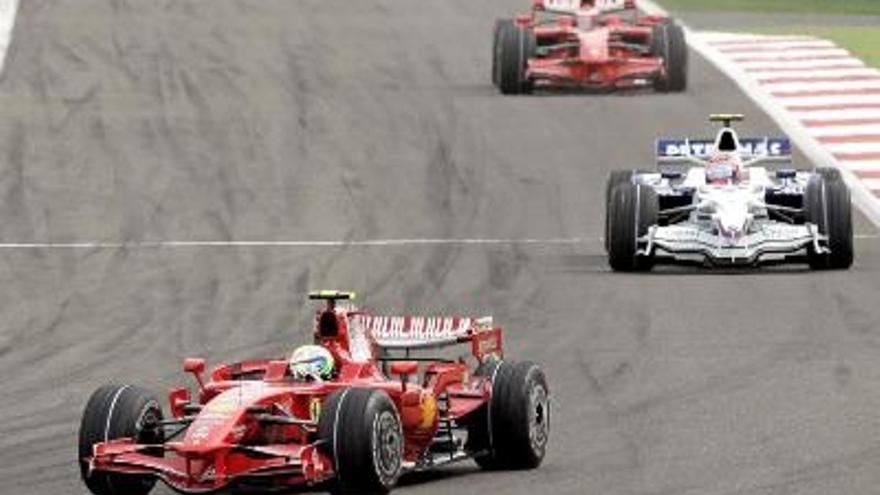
[[419, 332]]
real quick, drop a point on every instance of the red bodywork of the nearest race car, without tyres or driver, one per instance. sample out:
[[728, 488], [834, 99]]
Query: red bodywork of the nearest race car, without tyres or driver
[[228, 439]]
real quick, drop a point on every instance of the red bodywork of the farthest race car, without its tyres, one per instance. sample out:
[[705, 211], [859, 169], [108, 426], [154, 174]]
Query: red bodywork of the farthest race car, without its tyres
[[590, 48]]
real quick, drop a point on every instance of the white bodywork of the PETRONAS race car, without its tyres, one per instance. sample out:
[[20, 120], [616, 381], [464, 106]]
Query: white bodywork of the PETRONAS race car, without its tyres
[[730, 224]]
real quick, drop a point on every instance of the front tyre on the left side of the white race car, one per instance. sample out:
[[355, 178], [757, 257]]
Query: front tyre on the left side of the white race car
[[632, 210]]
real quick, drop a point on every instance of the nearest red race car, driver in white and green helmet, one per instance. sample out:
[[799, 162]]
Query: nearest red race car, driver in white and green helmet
[[349, 410]]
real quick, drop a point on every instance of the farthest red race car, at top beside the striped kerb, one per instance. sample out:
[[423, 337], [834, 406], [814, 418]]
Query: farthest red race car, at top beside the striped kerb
[[588, 44]]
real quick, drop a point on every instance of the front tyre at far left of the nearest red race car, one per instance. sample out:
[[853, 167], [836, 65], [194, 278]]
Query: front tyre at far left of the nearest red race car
[[118, 411]]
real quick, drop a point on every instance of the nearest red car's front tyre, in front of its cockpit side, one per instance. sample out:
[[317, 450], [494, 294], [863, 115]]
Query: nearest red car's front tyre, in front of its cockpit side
[[360, 430]]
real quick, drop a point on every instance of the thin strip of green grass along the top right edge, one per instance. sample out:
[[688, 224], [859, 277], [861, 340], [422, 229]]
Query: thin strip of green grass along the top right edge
[[792, 6]]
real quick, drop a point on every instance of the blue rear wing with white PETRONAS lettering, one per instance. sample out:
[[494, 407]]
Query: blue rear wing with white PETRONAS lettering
[[698, 151]]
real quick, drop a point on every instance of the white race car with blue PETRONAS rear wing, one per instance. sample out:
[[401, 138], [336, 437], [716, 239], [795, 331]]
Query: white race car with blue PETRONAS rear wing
[[711, 202]]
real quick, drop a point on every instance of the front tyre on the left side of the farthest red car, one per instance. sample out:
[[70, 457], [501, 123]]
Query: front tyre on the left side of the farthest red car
[[517, 47]]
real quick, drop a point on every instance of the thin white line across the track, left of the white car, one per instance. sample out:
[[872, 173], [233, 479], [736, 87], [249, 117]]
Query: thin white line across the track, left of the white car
[[295, 244]]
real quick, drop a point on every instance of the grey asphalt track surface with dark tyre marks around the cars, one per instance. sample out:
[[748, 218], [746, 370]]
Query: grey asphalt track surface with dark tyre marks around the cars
[[327, 120]]
